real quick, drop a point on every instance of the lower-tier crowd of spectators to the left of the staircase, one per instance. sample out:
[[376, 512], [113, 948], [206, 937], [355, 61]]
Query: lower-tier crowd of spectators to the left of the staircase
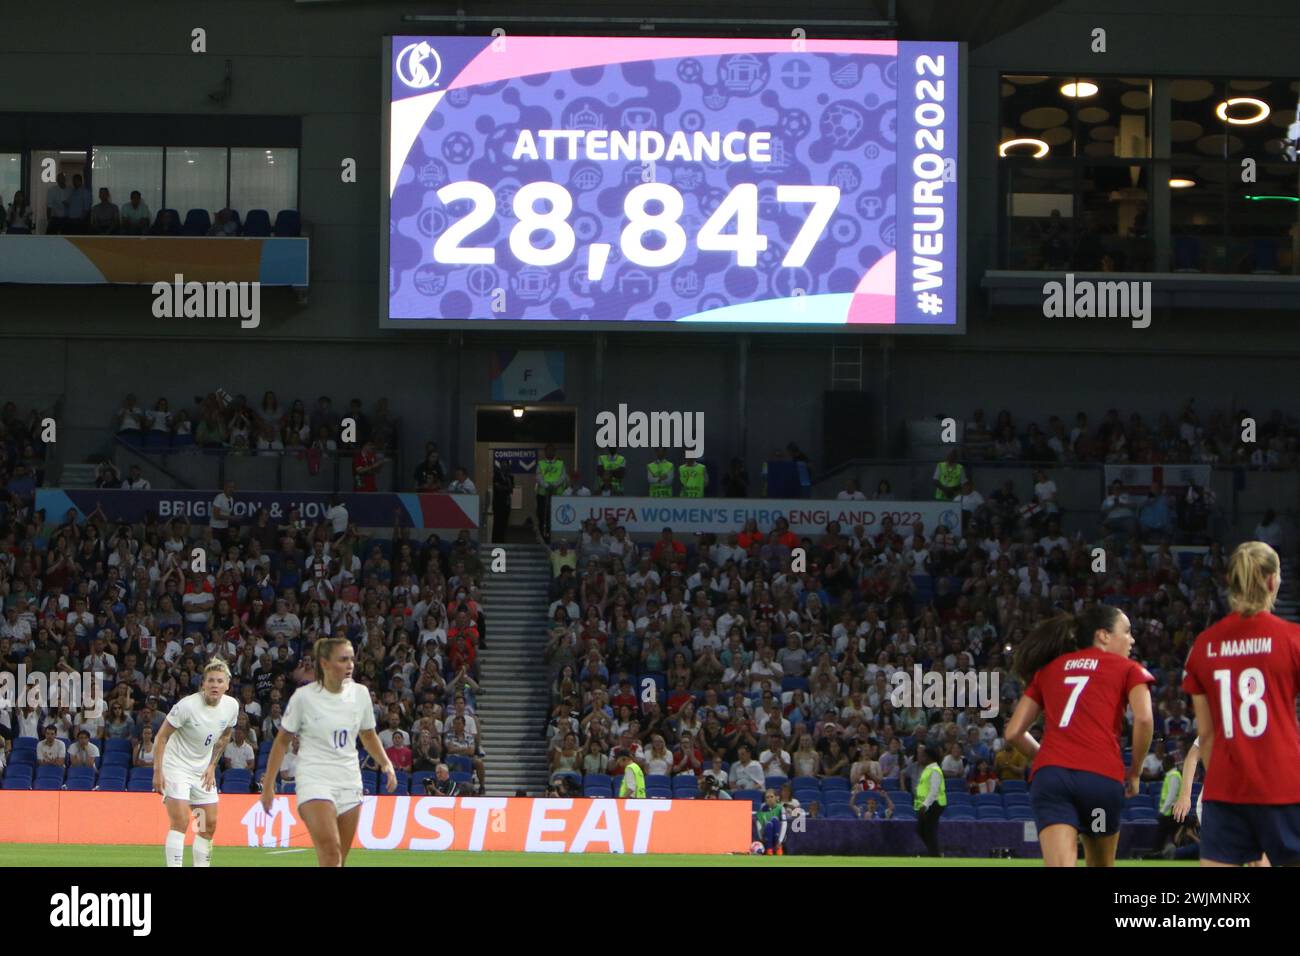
[[124, 603]]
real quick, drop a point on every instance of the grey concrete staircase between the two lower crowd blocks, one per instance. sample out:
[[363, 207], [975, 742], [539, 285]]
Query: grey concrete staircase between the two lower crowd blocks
[[513, 711]]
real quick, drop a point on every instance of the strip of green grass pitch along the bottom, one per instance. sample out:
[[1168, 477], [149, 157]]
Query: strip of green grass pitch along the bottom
[[72, 856]]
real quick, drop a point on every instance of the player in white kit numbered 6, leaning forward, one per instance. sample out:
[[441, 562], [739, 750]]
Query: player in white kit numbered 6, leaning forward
[[187, 751]]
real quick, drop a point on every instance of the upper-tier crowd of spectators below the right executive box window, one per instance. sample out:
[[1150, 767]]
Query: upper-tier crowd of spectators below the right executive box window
[[1186, 438]]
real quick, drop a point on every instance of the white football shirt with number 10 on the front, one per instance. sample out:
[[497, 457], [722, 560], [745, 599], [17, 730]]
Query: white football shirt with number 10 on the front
[[327, 726]]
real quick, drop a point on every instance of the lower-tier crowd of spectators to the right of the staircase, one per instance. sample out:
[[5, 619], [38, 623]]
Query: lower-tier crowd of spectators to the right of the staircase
[[717, 660]]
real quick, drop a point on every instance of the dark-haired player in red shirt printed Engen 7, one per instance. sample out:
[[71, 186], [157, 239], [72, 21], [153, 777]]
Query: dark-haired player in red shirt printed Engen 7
[[1080, 677]]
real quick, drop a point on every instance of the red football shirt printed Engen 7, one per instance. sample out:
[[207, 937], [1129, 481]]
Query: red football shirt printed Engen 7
[[1084, 697]]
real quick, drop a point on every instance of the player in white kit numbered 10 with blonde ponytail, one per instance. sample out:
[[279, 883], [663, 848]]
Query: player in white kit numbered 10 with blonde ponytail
[[328, 719]]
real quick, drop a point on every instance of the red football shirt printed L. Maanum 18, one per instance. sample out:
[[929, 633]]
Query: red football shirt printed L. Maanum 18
[[1250, 671]]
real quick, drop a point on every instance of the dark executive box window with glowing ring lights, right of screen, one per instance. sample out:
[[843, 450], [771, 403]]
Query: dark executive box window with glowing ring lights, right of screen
[[1084, 165]]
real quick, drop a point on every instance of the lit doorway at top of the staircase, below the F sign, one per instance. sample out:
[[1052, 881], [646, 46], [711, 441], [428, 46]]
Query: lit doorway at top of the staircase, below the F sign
[[518, 435]]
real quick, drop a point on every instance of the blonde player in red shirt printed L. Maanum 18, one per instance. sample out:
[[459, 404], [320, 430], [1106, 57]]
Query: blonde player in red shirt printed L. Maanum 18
[[1243, 674]]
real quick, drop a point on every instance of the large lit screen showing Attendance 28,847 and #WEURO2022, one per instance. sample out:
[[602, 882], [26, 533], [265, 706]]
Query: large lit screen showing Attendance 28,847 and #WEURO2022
[[656, 183]]
